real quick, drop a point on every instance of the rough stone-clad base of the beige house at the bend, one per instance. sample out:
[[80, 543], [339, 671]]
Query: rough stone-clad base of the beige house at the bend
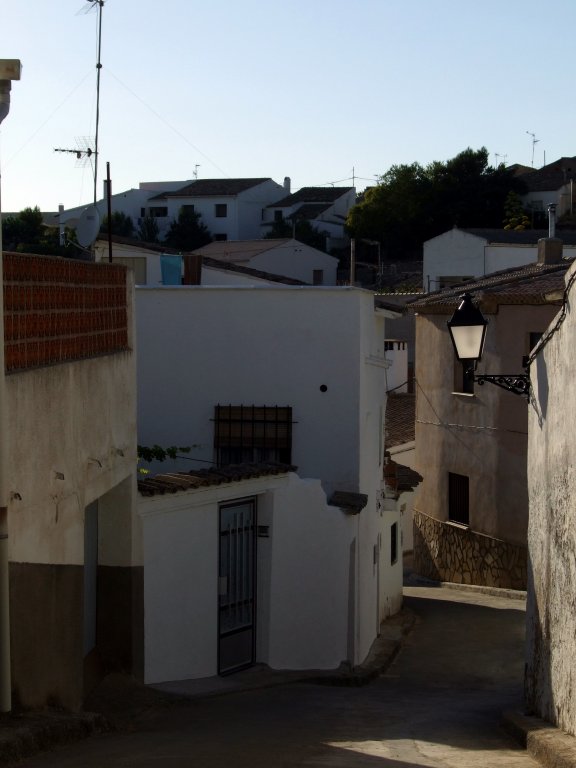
[[449, 552]]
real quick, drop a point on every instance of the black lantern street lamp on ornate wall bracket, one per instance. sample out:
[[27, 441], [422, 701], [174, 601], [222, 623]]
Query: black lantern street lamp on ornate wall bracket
[[467, 329]]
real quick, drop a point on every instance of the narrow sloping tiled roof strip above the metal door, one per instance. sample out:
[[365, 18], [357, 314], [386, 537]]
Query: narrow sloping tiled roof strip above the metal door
[[186, 481]]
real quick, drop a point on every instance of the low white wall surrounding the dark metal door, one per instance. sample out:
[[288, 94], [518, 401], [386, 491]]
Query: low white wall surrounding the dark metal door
[[303, 578]]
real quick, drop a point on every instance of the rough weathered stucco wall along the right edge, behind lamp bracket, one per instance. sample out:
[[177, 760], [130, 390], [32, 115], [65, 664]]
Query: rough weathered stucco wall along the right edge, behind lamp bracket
[[551, 610]]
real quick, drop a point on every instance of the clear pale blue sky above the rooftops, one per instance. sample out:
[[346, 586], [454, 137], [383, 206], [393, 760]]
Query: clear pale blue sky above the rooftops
[[310, 89]]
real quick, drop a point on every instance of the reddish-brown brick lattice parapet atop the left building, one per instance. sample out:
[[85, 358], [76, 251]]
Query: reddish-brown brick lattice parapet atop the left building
[[58, 310]]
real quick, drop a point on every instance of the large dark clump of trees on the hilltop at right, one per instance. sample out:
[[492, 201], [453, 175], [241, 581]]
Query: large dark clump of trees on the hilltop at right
[[412, 203]]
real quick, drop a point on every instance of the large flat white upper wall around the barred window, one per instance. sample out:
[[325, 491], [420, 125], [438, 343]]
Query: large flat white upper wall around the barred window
[[266, 346]]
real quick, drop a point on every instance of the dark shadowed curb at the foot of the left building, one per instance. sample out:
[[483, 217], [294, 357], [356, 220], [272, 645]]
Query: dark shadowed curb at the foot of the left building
[[22, 736]]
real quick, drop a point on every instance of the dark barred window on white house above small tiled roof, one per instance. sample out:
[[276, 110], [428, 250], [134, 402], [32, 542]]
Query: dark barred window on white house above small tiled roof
[[252, 434]]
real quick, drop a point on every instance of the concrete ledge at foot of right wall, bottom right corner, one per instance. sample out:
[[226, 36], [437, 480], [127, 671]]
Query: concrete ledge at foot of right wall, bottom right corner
[[550, 746]]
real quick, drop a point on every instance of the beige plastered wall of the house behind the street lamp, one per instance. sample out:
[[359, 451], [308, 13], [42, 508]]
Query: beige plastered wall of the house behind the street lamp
[[484, 435]]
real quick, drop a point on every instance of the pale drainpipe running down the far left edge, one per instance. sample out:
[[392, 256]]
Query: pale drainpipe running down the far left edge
[[9, 70]]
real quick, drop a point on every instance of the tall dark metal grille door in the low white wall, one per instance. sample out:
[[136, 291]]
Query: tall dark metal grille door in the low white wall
[[236, 588]]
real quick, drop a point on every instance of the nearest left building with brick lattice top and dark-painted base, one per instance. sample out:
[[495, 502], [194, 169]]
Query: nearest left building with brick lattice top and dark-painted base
[[69, 450]]
